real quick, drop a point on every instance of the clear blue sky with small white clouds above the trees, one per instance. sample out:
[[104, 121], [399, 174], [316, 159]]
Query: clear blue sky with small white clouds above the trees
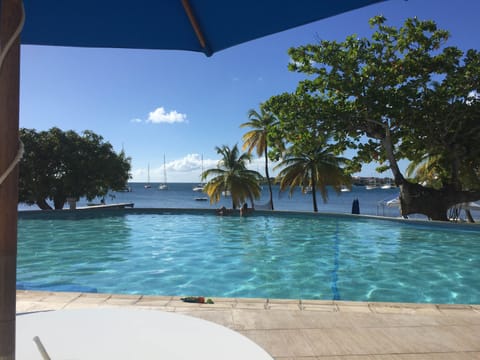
[[183, 104]]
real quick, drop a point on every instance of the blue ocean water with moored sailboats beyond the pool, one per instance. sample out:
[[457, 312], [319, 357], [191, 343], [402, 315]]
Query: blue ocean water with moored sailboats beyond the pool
[[182, 196]]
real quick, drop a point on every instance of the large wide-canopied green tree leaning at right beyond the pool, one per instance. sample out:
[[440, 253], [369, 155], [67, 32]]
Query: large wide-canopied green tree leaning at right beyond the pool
[[408, 95]]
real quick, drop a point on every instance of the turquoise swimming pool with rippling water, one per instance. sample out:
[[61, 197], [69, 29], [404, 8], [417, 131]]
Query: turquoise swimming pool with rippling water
[[280, 255]]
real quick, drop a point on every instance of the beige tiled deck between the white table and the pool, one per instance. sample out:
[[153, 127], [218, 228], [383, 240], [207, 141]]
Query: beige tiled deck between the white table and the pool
[[308, 330]]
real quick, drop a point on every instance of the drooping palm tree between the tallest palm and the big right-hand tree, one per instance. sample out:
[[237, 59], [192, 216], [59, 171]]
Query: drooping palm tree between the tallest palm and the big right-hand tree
[[315, 169]]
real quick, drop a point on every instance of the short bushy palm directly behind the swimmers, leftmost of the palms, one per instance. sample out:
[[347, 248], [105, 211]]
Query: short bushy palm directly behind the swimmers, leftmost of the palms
[[232, 175]]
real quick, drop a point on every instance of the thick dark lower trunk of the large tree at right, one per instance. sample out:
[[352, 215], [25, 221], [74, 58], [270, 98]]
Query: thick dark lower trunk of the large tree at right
[[433, 203]]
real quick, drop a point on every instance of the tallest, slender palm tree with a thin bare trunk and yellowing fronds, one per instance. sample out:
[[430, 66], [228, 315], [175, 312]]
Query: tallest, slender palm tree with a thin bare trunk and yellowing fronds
[[257, 138]]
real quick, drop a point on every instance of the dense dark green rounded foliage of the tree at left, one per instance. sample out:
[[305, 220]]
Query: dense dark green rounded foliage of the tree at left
[[57, 165]]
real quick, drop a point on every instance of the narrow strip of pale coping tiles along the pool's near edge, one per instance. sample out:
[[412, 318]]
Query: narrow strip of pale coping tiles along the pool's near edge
[[50, 300]]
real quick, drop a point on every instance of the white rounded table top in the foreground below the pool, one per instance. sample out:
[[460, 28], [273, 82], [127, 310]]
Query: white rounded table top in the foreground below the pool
[[115, 333]]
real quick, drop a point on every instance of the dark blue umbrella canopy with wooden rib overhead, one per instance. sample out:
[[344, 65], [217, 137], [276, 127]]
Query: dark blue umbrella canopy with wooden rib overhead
[[197, 25]]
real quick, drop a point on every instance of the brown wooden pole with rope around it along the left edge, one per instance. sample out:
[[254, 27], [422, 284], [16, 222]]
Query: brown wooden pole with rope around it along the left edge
[[10, 17]]
